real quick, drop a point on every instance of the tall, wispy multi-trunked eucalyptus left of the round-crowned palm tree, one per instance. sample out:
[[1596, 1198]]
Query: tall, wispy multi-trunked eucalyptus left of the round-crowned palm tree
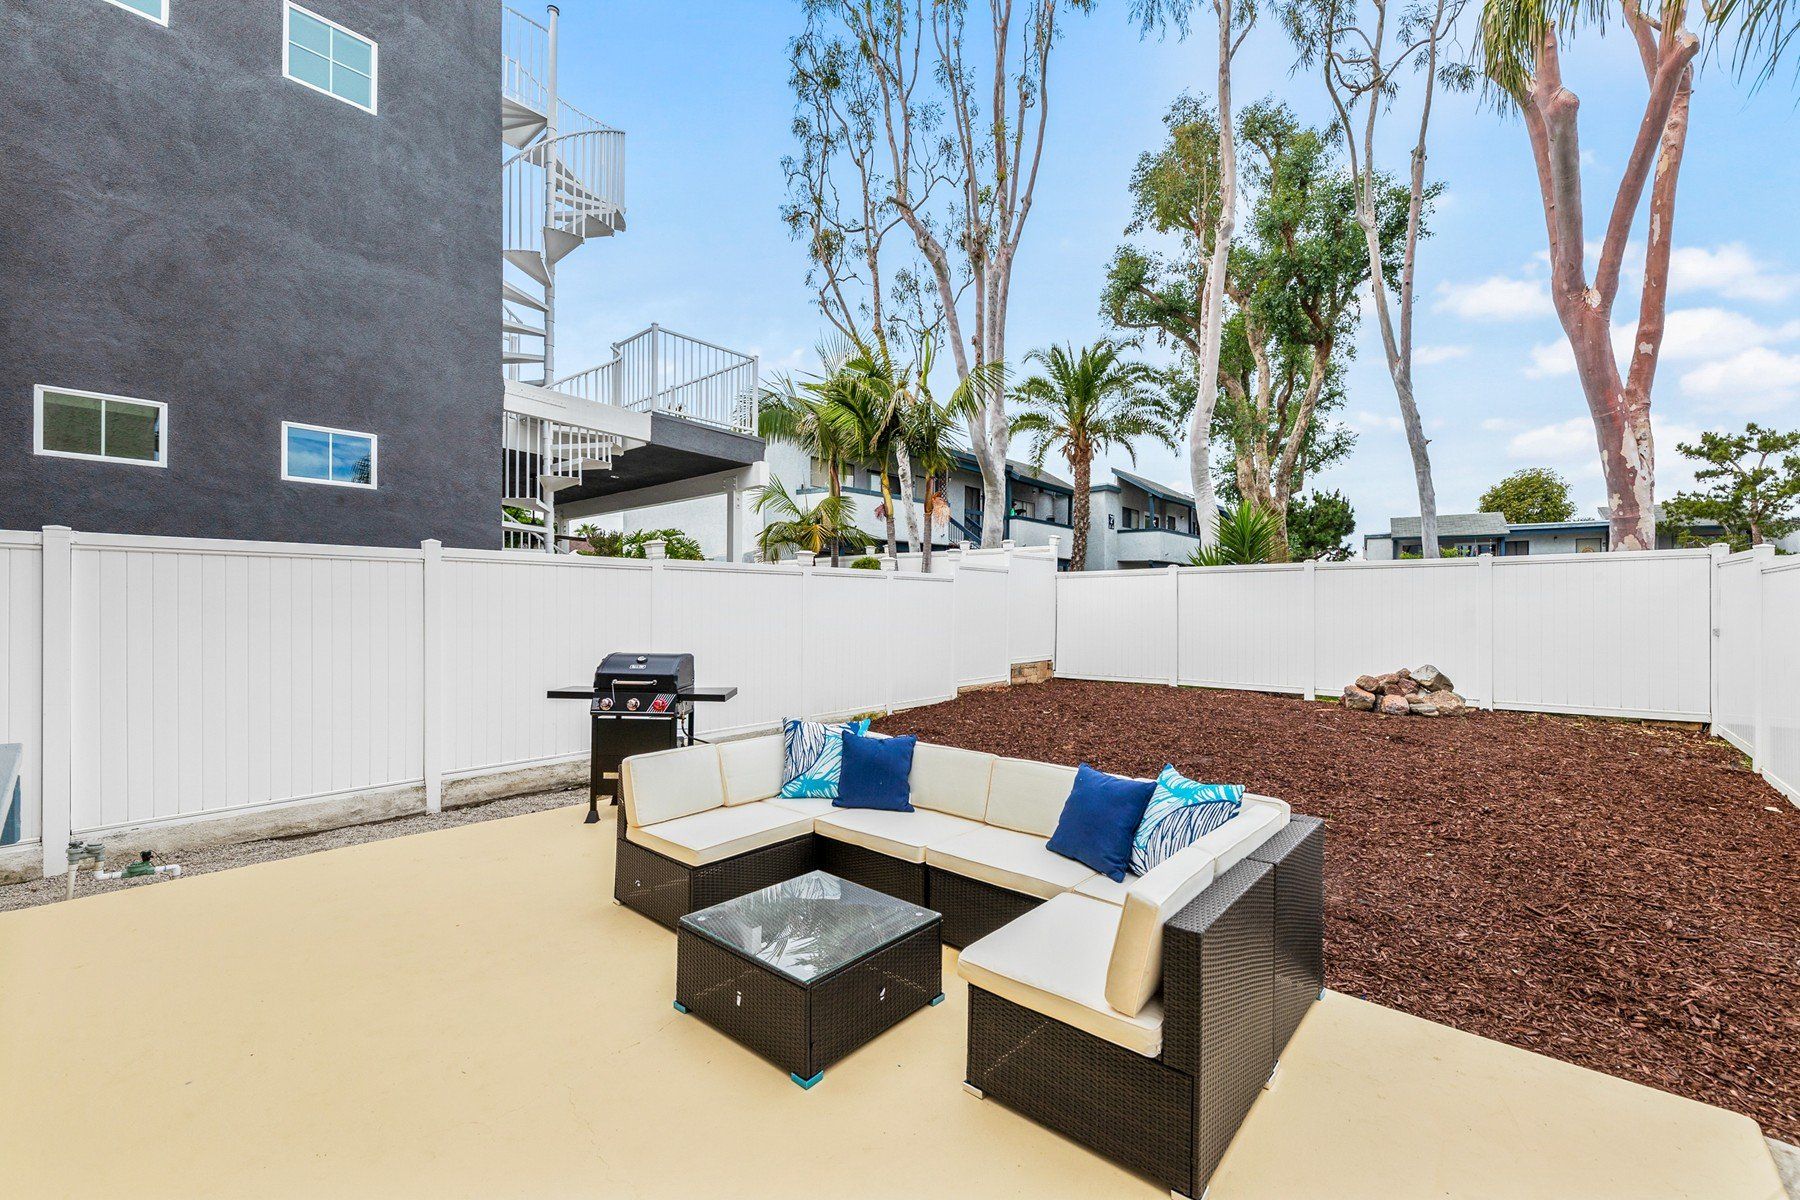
[[942, 127]]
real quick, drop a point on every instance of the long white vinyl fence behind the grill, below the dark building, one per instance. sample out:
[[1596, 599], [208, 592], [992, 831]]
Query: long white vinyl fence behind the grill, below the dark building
[[168, 679]]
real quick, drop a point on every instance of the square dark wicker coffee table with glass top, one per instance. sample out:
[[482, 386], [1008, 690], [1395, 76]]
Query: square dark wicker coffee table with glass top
[[809, 971]]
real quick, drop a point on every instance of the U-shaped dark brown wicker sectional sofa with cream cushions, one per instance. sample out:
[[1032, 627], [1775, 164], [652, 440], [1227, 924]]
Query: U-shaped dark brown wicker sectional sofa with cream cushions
[[1140, 1019]]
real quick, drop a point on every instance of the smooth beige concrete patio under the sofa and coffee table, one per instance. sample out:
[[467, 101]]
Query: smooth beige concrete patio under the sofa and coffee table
[[465, 1014]]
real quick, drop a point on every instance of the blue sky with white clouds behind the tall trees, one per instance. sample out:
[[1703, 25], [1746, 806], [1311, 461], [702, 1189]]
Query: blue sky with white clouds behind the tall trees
[[703, 93]]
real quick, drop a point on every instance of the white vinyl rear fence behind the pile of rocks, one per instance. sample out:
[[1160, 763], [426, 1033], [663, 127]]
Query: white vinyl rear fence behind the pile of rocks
[[1601, 634]]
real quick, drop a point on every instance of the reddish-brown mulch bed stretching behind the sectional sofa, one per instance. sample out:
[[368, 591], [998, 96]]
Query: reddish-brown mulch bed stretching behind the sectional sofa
[[1615, 895]]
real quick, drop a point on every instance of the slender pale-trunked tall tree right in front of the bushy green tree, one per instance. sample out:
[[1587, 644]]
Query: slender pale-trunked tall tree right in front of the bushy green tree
[[1216, 222]]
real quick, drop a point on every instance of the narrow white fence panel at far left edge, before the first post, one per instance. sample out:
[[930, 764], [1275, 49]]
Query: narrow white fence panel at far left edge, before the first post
[[22, 670]]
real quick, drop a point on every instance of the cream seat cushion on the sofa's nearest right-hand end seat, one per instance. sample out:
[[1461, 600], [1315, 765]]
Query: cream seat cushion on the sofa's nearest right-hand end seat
[[1054, 962]]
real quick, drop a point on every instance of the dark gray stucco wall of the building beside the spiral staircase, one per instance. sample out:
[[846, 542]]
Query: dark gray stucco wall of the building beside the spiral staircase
[[179, 222]]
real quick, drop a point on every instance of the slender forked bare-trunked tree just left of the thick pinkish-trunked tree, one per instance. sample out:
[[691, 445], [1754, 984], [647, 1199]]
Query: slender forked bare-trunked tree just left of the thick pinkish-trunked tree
[[1362, 48]]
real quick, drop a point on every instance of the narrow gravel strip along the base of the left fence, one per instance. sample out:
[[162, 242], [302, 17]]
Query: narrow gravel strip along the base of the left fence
[[247, 854]]
